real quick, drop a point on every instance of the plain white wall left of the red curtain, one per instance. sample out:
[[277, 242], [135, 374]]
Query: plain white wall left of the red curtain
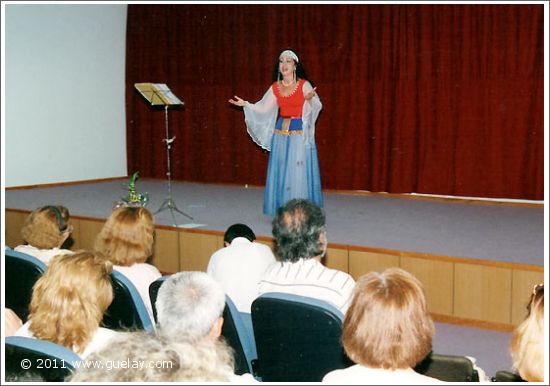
[[64, 93]]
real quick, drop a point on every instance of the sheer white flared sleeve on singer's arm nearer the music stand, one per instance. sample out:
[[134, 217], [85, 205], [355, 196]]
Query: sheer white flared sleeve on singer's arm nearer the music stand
[[260, 118]]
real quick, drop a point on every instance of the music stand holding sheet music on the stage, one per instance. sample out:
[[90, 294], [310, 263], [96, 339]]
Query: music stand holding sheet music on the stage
[[158, 94]]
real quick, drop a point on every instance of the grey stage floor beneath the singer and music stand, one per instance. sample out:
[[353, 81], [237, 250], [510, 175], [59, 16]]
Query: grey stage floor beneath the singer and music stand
[[488, 231]]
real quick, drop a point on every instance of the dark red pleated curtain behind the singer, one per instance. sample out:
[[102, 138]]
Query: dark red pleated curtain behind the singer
[[439, 99]]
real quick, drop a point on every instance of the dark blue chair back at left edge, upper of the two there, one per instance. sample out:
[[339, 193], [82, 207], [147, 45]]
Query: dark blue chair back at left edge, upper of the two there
[[22, 271]]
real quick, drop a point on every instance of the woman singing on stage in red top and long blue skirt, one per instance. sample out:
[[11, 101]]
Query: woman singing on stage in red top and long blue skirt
[[283, 122]]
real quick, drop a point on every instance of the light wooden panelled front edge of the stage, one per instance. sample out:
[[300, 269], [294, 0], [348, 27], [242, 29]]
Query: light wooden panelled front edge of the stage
[[452, 284]]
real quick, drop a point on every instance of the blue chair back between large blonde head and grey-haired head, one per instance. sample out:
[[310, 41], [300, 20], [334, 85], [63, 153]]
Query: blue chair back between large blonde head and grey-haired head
[[127, 311]]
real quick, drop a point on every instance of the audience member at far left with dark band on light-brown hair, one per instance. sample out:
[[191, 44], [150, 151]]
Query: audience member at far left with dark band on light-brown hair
[[44, 231]]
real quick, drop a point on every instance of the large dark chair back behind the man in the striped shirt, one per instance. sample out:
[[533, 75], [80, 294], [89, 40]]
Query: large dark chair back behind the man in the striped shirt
[[298, 339]]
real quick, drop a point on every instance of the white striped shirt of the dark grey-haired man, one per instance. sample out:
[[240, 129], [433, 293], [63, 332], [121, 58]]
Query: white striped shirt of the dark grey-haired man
[[308, 277]]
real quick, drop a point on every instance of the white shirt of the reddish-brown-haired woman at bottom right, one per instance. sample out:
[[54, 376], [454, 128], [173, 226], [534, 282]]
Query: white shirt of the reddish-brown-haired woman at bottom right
[[358, 374]]
